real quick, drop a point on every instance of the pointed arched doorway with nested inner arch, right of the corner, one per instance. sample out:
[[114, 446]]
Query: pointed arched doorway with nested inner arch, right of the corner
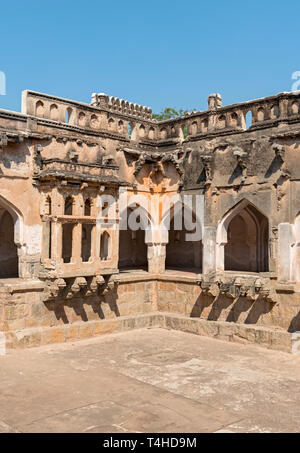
[[246, 245]]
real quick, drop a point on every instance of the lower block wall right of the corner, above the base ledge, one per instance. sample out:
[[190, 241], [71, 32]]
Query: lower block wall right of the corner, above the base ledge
[[188, 299]]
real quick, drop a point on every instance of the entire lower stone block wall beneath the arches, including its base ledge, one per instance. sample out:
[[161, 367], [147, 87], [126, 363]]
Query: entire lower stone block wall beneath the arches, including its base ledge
[[27, 320]]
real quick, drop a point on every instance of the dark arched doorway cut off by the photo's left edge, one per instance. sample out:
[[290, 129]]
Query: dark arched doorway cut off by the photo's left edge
[[8, 248]]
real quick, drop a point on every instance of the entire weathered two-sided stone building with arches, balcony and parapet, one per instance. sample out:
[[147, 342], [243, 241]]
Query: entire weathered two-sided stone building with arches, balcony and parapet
[[69, 270]]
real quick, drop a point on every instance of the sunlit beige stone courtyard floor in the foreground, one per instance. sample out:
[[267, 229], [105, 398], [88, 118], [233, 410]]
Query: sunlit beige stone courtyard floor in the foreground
[[149, 380]]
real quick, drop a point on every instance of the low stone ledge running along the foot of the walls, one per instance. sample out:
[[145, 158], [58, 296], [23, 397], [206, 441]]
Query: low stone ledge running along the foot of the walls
[[266, 337]]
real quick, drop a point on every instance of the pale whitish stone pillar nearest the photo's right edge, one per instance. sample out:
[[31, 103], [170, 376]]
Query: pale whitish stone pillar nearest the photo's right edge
[[285, 240]]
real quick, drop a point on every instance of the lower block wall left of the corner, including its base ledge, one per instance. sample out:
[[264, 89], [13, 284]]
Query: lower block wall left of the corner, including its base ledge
[[28, 320]]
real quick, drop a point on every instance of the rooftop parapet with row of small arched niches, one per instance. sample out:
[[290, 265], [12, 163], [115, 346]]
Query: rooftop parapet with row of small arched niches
[[131, 121]]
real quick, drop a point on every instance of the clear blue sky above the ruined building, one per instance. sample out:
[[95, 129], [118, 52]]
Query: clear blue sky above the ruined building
[[157, 53]]
